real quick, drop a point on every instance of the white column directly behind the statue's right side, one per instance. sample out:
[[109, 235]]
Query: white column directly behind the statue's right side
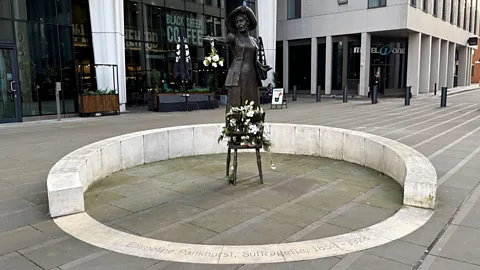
[[267, 28]]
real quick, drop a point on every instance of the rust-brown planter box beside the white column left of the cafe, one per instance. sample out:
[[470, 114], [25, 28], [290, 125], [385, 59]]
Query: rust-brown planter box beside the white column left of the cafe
[[98, 104]]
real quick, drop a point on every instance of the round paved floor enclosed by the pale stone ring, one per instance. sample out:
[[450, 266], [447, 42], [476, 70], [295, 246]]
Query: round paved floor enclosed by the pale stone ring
[[189, 200]]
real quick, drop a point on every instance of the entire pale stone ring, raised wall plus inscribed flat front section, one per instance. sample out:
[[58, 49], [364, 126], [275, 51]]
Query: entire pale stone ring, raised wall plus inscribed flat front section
[[71, 176]]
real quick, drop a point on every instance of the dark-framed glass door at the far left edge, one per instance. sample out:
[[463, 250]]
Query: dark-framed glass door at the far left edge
[[10, 108]]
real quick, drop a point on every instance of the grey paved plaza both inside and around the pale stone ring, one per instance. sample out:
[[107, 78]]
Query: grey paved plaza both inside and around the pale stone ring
[[165, 200]]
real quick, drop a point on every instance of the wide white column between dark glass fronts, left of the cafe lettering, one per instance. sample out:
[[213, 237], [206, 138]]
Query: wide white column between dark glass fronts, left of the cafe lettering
[[108, 36]]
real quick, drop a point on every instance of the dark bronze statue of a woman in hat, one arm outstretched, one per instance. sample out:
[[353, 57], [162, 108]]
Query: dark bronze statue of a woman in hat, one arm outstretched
[[247, 71]]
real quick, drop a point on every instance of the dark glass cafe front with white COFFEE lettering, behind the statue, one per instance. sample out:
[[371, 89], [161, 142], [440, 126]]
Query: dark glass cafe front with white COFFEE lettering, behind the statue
[[151, 32]]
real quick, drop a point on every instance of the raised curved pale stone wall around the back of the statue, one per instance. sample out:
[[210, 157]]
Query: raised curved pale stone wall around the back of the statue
[[72, 175]]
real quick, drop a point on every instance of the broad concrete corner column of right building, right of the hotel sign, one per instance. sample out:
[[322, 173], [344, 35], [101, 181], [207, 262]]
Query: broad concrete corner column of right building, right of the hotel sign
[[414, 54]]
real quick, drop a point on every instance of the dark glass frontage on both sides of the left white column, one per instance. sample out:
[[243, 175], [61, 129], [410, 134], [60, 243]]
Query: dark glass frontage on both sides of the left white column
[[49, 41]]
